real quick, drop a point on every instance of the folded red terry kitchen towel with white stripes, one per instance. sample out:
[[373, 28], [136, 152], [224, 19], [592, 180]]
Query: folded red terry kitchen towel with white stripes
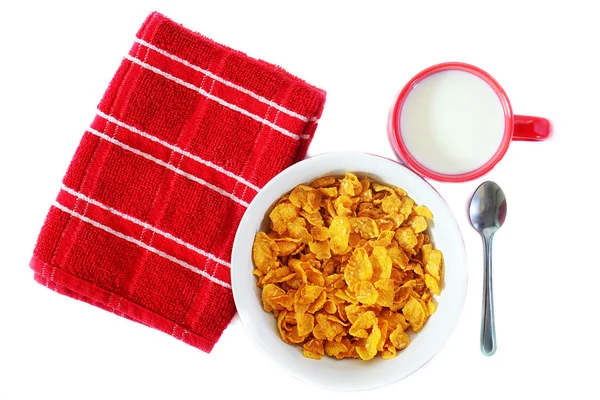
[[186, 134]]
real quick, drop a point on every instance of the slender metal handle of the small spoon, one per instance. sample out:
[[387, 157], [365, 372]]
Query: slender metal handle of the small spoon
[[488, 327]]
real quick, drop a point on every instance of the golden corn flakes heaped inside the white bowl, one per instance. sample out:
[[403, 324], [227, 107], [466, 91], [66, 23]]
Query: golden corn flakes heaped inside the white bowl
[[348, 268]]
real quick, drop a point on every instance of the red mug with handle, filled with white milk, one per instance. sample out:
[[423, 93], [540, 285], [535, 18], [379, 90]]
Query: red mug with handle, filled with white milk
[[453, 122]]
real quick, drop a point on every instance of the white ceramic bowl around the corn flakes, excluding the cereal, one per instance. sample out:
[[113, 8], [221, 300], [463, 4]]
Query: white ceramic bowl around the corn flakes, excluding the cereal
[[349, 374]]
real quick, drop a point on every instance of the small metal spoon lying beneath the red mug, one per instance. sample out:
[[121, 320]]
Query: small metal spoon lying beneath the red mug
[[488, 212]]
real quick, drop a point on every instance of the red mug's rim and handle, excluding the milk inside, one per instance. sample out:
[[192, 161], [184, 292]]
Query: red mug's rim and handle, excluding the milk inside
[[516, 127]]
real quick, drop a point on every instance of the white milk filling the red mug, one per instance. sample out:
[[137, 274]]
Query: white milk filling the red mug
[[452, 122]]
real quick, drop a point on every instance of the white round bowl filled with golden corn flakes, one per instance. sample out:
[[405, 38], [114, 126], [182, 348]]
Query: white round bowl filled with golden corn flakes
[[349, 271]]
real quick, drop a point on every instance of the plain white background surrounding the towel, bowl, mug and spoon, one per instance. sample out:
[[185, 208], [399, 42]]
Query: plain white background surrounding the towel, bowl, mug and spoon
[[57, 59]]
